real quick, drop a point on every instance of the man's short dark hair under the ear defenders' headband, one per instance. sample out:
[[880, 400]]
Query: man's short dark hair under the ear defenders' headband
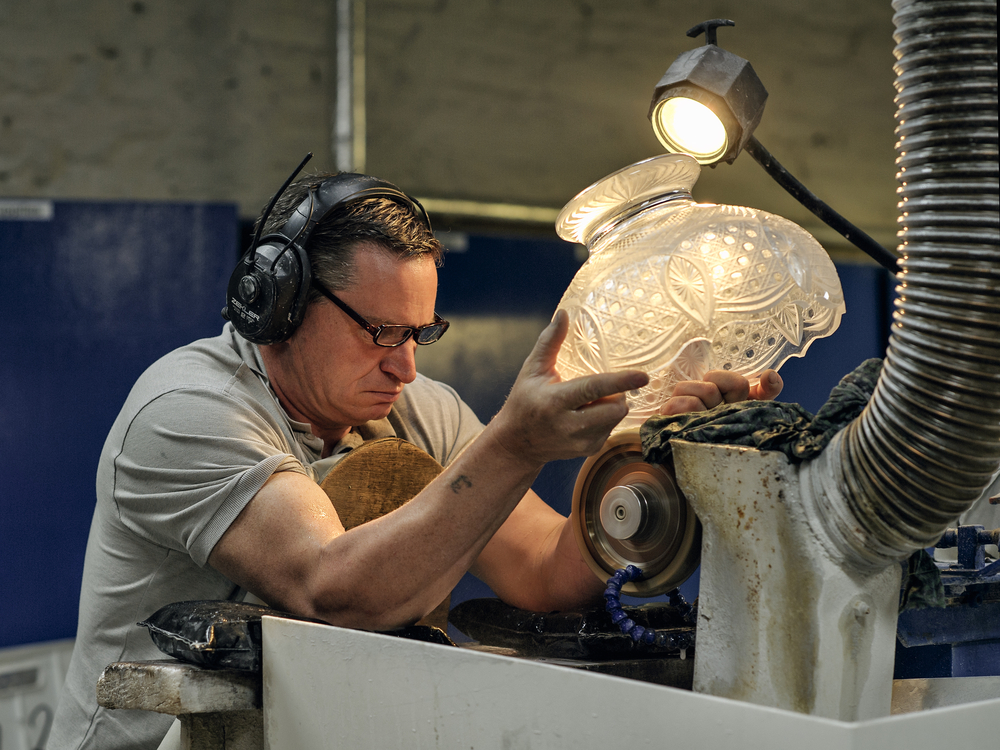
[[382, 222]]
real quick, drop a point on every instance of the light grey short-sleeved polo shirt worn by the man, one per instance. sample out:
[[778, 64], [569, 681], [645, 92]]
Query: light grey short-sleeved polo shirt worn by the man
[[199, 435]]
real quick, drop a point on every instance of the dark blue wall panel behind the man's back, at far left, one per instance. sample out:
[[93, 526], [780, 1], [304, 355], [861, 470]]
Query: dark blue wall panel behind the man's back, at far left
[[88, 300]]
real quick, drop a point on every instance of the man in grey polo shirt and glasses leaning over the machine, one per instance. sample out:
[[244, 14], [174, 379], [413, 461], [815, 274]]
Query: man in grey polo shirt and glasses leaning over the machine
[[208, 482]]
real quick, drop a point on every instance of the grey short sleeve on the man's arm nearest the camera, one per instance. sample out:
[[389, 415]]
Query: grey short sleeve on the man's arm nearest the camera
[[191, 460]]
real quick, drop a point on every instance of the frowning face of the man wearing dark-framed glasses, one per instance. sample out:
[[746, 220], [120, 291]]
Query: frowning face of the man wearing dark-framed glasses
[[334, 376]]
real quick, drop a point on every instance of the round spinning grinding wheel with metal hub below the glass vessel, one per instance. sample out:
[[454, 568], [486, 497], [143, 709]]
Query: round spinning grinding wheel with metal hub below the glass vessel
[[629, 512]]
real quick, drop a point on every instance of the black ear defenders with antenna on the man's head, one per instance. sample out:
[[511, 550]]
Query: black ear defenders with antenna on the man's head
[[267, 292]]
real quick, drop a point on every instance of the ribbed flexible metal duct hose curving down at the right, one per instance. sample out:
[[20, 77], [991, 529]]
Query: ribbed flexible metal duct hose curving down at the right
[[929, 441]]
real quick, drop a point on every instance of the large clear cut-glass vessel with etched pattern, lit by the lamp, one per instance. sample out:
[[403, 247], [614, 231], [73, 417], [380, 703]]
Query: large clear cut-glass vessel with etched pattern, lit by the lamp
[[679, 288]]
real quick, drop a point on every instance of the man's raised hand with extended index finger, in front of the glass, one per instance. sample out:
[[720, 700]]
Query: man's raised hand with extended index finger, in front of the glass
[[546, 418]]
